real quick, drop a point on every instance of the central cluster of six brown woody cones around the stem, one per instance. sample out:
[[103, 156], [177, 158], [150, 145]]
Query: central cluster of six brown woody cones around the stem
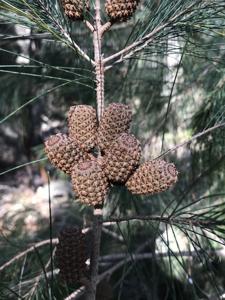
[[119, 160]]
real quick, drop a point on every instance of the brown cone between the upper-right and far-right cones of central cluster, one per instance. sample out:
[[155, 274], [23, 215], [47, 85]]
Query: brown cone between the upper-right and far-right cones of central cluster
[[122, 158]]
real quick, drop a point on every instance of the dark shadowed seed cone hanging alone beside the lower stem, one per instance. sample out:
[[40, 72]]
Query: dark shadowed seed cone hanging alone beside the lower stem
[[71, 255]]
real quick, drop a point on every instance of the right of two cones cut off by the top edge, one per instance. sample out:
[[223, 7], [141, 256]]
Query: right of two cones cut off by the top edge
[[120, 10]]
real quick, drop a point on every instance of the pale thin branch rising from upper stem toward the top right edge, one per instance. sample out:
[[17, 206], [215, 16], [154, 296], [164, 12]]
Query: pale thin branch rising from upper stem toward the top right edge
[[143, 42]]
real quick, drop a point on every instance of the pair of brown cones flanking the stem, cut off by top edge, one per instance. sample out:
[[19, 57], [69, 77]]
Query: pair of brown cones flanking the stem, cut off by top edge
[[117, 10]]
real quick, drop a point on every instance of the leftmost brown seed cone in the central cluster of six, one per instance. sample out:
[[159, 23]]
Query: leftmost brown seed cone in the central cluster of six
[[63, 152]]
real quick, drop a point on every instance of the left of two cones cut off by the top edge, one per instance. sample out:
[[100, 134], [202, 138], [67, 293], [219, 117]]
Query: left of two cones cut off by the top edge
[[75, 9]]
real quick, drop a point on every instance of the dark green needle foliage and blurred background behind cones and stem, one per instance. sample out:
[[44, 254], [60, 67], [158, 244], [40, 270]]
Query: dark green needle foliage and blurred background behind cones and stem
[[176, 88]]
